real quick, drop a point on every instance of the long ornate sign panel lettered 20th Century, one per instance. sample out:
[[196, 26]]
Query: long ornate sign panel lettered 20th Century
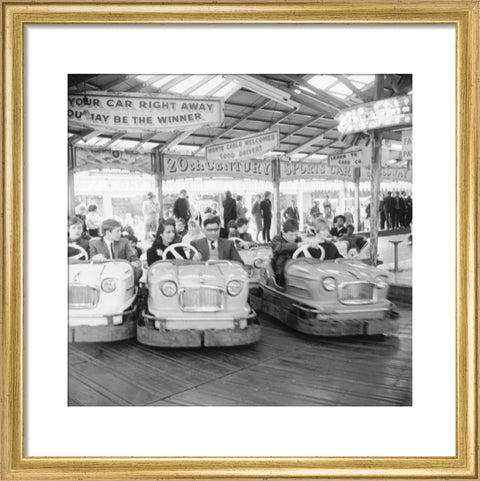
[[178, 166]]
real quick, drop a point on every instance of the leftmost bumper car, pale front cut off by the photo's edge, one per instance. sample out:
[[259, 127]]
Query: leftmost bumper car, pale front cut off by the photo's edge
[[102, 301]]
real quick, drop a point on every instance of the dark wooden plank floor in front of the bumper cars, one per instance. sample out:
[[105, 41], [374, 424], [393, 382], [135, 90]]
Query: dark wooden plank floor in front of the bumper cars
[[285, 368]]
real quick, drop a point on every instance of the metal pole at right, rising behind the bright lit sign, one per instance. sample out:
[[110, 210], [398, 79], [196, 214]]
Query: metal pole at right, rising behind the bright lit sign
[[376, 140]]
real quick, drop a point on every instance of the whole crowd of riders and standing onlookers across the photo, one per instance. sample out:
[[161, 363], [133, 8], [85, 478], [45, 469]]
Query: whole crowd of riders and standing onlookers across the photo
[[209, 234]]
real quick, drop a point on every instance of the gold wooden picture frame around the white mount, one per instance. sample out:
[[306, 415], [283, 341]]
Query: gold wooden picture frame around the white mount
[[464, 15]]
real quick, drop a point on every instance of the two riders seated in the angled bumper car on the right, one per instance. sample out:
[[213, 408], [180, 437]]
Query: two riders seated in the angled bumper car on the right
[[286, 243]]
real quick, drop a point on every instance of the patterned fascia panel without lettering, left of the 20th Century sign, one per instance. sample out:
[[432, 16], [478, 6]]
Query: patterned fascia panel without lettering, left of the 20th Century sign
[[88, 158]]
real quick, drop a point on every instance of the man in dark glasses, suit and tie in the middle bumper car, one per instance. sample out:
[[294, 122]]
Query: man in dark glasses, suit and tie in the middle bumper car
[[212, 246]]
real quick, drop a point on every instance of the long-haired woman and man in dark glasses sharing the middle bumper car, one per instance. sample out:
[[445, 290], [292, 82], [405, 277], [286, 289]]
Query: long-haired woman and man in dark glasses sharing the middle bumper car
[[210, 247]]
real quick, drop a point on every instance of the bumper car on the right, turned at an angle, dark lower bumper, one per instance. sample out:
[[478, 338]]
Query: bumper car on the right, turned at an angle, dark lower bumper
[[341, 297]]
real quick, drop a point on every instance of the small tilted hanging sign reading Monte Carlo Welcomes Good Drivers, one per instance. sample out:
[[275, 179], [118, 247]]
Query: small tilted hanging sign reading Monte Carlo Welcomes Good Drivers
[[244, 148]]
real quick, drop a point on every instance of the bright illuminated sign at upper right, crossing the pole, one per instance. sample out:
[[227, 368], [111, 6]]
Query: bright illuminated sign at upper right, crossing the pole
[[380, 114]]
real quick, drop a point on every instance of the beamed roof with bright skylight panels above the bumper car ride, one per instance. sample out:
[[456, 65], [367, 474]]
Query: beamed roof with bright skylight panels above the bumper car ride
[[302, 106]]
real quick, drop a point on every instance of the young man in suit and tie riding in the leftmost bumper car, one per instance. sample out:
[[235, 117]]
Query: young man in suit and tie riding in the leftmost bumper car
[[113, 246]]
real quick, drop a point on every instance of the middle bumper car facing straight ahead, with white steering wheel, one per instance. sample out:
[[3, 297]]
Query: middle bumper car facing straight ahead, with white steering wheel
[[194, 304]]
